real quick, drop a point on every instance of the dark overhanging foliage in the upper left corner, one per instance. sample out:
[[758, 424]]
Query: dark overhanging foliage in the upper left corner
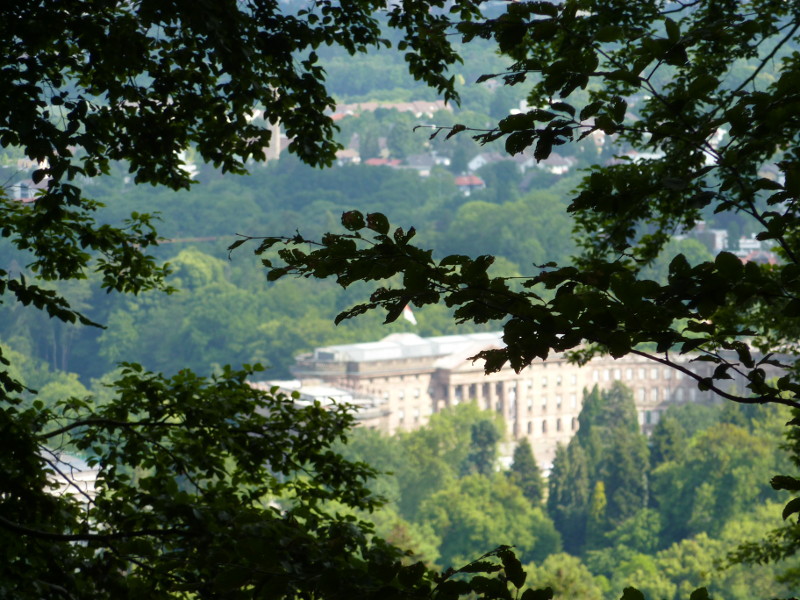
[[190, 77]]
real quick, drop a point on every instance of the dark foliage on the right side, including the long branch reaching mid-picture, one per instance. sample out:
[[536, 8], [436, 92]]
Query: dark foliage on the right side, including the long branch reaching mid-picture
[[711, 134]]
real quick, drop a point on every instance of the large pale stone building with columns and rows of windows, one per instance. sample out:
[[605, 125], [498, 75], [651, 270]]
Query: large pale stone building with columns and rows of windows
[[410, 378]]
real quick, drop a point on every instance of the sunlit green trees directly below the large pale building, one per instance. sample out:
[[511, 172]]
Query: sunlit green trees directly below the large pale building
[[664, 514]]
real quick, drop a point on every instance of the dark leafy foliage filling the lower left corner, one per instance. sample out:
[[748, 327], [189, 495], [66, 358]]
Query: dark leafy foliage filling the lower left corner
[[200, 482]]
